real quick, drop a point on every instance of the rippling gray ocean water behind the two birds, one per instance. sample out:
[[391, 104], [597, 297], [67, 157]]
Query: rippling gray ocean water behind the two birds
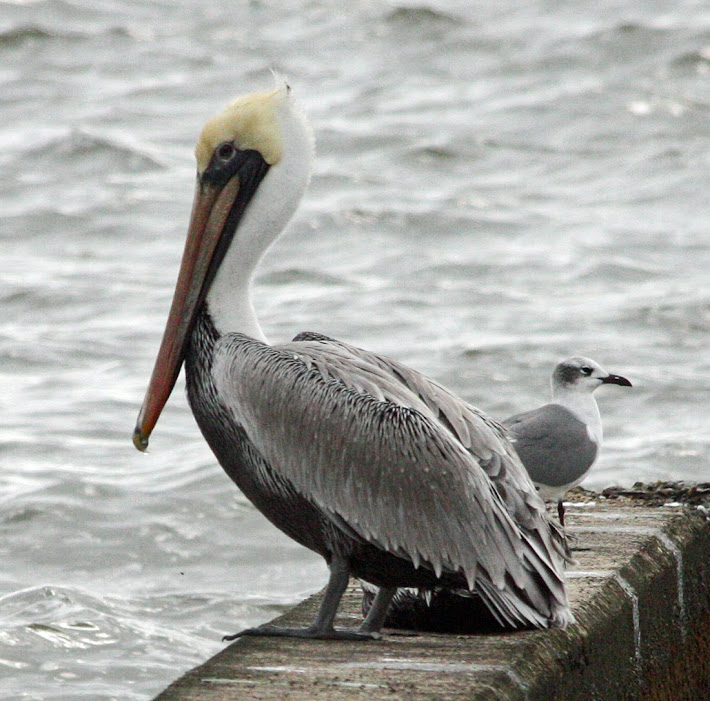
[[497, 186]]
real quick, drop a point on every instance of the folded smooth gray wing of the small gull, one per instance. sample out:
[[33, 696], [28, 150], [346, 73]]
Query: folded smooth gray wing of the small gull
[[553, 444]]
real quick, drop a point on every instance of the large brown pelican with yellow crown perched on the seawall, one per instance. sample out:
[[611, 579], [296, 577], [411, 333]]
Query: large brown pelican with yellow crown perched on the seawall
[[383, 472]]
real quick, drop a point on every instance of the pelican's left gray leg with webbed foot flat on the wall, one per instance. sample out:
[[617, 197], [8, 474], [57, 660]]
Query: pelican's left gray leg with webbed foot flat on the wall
[[322, 627]]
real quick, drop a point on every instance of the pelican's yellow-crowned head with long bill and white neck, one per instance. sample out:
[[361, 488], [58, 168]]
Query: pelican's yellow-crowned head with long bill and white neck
[[253, 164]]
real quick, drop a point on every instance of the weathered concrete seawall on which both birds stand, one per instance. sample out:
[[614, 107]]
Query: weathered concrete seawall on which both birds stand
[[640, 590]]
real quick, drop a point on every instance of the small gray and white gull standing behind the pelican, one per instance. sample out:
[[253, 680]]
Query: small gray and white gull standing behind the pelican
[[559, 442]]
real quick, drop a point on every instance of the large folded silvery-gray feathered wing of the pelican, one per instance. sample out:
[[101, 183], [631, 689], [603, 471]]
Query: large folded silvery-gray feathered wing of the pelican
[[351, 436]]
